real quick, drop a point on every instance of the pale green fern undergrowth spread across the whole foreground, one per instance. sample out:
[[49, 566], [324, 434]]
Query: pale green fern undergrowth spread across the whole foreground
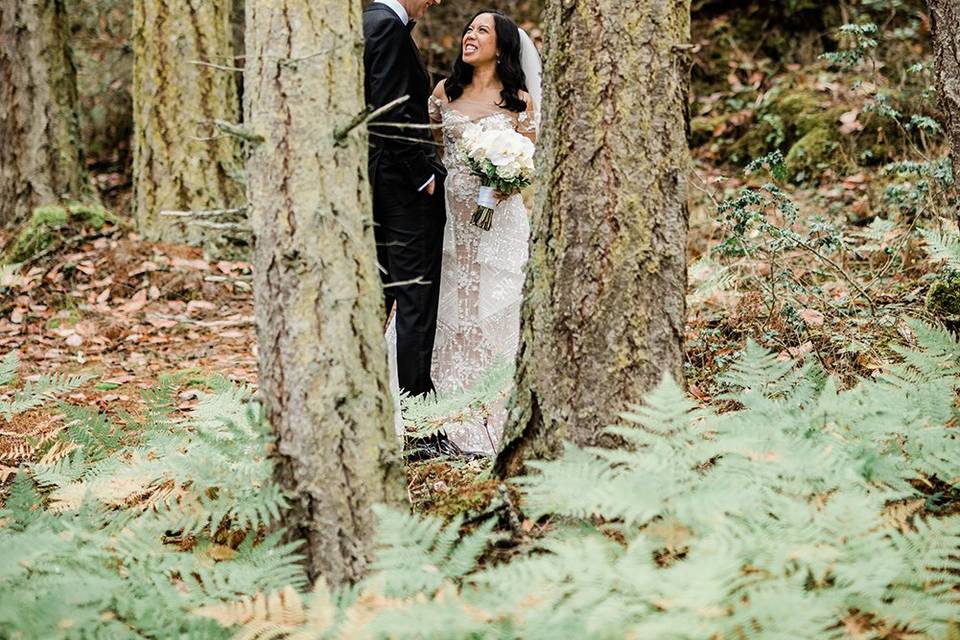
[[806, 511]]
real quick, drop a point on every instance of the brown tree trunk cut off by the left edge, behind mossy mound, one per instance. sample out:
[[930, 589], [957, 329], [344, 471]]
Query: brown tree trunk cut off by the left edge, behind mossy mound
[[41, 161]]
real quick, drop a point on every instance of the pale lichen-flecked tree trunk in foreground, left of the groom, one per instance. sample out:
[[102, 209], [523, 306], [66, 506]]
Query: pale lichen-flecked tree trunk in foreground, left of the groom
[[323, 371]]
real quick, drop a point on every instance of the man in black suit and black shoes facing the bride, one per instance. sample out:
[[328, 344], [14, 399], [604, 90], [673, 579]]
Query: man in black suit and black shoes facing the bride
[[408, 202]]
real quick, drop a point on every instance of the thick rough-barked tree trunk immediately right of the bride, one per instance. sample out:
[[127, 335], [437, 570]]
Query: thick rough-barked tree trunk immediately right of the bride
[[603, 312]]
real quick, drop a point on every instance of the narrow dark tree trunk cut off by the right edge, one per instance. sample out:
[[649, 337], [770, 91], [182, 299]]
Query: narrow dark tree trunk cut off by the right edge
[[946, 48]]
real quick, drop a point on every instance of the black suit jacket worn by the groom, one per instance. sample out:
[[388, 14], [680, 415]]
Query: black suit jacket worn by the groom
[[393, 68]]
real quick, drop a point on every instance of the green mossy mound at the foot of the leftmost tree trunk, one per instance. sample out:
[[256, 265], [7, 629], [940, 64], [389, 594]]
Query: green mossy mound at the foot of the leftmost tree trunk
[[54, 223]]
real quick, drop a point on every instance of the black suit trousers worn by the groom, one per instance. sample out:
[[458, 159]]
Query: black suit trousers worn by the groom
[[409, 235]]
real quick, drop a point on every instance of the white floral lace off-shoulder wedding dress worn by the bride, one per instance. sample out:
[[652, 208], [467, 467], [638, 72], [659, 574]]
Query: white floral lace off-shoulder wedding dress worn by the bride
[[482, 279]]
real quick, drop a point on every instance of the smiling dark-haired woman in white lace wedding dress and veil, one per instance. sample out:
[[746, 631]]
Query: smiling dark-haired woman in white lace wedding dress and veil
[[495, 81]]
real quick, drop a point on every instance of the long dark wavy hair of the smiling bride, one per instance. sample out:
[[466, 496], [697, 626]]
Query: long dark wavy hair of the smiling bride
[[509, 69]]
